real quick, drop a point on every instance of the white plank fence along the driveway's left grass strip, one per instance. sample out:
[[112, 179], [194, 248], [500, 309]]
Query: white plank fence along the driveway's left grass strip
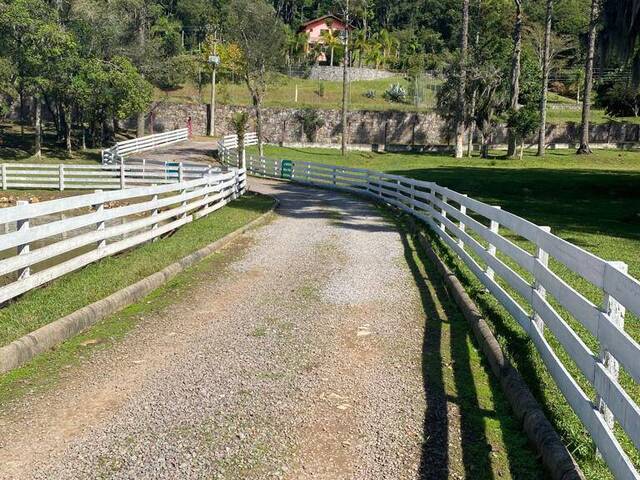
[[44, 241]]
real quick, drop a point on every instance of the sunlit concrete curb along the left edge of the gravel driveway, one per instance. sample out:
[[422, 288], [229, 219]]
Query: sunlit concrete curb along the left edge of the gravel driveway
[[24, 349]]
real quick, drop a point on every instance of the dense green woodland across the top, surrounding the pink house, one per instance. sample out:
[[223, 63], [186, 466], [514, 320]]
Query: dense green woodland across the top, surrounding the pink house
[[91, 63]]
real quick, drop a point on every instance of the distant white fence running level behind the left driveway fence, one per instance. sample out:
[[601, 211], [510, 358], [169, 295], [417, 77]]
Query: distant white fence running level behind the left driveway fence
[[106, 177]]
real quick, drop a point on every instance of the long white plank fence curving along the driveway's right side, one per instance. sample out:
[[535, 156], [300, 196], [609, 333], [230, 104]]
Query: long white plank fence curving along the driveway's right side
[[476, 232]]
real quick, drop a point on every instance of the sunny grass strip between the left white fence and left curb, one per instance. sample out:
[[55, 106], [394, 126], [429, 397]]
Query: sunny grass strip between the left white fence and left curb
[[97, 281]]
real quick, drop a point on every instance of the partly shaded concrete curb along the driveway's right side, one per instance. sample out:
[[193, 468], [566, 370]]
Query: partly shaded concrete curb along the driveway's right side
[[554, 454]]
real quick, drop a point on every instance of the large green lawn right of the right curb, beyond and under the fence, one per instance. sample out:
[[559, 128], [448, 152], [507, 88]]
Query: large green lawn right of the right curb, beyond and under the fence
[[593, 202]]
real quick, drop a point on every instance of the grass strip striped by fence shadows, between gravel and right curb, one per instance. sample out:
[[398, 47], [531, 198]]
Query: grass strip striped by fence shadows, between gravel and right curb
[[455, 372]]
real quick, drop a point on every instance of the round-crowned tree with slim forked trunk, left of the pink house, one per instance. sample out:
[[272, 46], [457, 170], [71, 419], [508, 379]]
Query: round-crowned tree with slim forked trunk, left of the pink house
[[255, 28]]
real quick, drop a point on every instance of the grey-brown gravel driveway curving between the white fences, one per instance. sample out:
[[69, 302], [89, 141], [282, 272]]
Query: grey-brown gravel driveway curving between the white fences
[[298, 358]]
